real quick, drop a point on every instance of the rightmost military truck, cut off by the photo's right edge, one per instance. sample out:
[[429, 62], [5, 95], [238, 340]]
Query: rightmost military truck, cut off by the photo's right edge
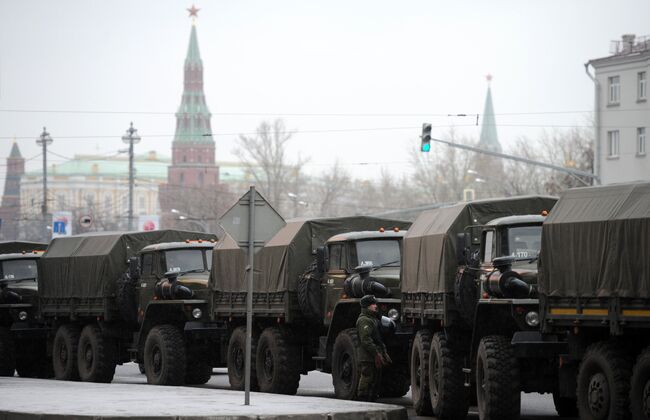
[[595, 295]]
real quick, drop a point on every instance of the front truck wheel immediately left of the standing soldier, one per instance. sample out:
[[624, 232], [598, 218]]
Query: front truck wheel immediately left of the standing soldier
[[345, 362]]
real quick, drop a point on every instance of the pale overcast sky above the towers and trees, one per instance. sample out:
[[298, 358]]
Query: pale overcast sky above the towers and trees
[[403, 62]]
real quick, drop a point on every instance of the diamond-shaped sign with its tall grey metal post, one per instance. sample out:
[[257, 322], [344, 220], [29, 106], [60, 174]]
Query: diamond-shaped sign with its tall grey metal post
[[263, 223]]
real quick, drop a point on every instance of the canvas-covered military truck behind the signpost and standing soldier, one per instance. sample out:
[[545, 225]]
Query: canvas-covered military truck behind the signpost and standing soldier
[[306, 302]]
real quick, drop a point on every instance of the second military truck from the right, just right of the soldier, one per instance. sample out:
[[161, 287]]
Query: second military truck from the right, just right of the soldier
[[468, 285]]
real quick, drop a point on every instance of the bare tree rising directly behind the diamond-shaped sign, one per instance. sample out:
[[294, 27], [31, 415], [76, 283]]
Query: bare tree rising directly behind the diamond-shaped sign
[[264, 156]]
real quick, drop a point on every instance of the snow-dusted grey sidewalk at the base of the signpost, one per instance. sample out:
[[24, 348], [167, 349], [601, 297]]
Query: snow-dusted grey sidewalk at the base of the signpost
[[27, 399]]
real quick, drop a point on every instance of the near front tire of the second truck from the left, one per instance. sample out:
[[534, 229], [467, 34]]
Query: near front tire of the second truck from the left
[[164, 356]]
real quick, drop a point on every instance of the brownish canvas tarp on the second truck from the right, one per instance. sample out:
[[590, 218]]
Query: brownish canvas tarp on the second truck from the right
[[429, 253]]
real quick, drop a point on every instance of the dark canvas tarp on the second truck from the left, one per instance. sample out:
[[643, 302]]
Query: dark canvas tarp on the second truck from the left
[[88, 266]]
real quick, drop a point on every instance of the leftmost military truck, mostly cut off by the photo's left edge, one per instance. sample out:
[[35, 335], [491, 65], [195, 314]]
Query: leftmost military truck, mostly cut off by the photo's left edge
[[22, 336]]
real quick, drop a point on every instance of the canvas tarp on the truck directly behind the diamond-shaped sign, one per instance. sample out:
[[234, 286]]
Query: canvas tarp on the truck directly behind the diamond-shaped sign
[[286, 255]]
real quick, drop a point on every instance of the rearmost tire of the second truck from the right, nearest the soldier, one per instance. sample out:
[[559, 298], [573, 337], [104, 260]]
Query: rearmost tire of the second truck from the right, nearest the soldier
[[420, 373]]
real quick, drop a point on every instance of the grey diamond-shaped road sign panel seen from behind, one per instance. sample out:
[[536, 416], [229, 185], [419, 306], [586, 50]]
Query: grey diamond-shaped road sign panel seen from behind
[[267, 221]]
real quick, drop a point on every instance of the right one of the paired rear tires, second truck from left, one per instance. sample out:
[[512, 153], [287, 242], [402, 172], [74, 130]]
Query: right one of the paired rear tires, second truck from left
[[96, 358]]
